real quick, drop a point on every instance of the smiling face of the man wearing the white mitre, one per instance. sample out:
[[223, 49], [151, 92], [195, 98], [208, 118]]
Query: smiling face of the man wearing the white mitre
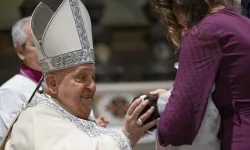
[[74, 88]]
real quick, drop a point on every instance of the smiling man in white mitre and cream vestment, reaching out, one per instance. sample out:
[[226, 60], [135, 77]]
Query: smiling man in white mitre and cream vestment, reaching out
[[58, 119]]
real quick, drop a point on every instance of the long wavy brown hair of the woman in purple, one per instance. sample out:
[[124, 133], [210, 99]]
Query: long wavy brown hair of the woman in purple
[[195, 10]]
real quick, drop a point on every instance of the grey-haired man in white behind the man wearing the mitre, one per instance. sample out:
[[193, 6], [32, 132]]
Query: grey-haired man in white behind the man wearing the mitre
[[17, 90]]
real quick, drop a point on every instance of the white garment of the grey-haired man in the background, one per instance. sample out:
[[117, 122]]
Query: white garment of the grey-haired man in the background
[[13, 94]]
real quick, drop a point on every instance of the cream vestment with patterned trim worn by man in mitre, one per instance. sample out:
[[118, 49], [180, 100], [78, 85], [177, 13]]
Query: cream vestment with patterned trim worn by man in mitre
[[46, 125]]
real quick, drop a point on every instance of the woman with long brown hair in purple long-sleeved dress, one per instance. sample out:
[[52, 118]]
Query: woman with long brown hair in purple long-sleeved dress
[[214, 50]]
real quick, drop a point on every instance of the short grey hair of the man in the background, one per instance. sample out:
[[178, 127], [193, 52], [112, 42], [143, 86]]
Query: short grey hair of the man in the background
[[18, 35]]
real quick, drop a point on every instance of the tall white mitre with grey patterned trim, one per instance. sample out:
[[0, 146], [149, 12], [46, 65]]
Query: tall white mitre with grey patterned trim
[[63, 38]]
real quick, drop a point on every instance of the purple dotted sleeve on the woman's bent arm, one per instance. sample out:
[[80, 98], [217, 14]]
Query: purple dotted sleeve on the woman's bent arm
[[199, 61]]
